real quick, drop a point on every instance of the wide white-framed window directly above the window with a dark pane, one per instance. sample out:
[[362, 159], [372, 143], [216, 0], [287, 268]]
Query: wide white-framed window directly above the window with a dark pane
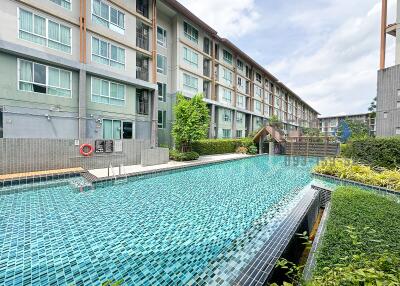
[[44, 32]]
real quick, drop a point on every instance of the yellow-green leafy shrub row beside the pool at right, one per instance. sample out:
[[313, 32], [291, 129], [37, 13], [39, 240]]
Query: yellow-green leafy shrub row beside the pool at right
[[347, 169]]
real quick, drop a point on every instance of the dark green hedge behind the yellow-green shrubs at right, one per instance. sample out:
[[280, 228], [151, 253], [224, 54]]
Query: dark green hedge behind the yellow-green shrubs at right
[[379, 152]]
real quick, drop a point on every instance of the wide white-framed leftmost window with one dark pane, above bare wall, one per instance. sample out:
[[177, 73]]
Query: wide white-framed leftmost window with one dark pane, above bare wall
[[34, 77]]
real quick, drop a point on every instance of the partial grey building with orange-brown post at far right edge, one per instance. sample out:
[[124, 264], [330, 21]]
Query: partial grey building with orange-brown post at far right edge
[[388, 95]]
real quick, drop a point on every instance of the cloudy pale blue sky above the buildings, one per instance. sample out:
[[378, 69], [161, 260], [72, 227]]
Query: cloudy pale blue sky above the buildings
[[326, 51]]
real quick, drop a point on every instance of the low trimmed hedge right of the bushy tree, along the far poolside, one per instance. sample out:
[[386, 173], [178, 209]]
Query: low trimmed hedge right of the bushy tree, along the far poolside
[[220, 146]]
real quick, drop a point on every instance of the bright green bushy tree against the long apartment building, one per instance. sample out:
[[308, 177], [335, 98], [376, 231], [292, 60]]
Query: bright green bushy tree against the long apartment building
[[192, 121]]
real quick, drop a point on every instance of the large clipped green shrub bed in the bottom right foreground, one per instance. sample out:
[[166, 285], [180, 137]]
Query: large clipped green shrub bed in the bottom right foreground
[[360, 241]]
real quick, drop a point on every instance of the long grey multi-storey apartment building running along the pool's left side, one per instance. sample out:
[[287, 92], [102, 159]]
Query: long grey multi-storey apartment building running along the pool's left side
[[112, 68]]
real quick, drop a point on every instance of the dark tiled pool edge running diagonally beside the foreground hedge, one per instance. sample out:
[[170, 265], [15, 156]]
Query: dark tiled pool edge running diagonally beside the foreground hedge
[[258, 271]]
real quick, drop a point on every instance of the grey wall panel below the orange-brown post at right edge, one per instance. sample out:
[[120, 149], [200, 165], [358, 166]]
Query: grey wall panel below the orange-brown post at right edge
[[388, 114]]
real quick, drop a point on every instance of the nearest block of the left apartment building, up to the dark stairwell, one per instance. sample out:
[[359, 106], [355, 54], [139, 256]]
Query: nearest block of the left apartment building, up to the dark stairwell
[[76, 69]]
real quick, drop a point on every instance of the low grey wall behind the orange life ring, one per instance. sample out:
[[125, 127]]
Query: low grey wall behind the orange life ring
[[26, 155]]
